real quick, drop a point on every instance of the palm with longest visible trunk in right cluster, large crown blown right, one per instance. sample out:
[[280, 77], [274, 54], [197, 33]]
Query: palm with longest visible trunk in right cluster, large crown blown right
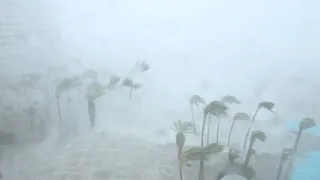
[[216, 108]]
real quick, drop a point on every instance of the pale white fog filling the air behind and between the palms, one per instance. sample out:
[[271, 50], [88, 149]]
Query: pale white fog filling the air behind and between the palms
[[253, 50]]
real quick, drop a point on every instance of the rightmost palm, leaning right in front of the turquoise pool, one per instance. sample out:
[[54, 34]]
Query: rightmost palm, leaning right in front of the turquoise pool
[[305, 123]]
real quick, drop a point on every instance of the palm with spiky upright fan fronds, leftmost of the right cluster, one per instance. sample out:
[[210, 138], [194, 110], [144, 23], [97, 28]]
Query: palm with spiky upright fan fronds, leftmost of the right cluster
[[181, 128]]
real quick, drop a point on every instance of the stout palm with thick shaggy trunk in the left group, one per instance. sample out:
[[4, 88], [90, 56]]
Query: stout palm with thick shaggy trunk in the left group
[[94, 91]]
